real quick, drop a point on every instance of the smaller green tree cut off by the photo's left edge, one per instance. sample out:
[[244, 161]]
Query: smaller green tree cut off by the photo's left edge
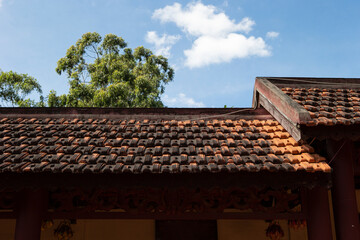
[[15, 87]]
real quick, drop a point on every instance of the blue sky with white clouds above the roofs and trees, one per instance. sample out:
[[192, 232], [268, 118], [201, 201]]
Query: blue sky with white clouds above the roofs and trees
[[216, 47]]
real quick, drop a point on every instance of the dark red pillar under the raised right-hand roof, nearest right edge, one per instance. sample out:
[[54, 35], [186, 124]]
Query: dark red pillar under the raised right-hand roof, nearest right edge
[[343, 191]]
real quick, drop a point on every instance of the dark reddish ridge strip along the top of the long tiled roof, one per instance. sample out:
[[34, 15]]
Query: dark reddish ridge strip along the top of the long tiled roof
[[138, 113]]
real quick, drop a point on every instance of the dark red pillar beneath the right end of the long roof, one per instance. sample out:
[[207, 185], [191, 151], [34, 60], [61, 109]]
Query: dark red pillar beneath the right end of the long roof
[[318, 214]]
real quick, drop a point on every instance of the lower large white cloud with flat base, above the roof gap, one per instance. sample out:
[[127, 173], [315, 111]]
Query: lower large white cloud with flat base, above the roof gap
[[208, 50]]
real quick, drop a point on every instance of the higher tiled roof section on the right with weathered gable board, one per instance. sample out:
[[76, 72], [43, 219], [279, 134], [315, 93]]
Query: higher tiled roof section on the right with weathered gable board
[[312, 107]]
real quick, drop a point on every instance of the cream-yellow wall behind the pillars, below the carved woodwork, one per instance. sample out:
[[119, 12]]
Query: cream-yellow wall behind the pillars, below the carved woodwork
[[145, 230]]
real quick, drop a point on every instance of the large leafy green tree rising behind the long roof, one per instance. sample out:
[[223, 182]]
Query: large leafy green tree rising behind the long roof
[[105, 73]]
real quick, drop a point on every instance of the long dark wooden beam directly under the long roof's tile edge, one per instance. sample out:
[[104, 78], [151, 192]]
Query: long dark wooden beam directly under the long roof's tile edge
[[225, 180]]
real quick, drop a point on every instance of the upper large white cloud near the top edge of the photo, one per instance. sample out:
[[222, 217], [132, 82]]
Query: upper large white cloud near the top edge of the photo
[[198, 19]]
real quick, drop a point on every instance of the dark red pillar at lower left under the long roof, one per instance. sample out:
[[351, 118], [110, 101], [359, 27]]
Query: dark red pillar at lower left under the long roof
[[31, 208]]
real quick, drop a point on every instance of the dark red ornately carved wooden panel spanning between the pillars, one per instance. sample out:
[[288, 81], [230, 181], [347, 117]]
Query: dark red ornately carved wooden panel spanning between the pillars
[[176, 201]]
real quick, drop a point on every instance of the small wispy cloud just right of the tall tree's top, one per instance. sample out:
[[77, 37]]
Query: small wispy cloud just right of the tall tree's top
[[162, 44]]
